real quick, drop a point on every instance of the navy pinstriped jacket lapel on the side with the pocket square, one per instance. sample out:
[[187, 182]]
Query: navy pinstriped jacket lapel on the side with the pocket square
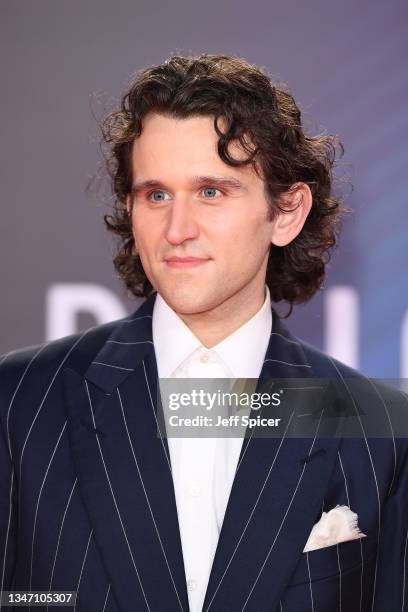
[[276, 496]]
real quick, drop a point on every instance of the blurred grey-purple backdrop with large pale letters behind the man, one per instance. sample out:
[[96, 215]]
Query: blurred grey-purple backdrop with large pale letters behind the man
[[64, 62]]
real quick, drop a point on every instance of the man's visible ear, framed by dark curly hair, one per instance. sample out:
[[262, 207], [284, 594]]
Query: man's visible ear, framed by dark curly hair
[[296, 204]]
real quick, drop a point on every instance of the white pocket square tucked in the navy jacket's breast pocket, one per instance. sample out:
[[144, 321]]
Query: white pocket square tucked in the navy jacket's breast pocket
[[337, 525]]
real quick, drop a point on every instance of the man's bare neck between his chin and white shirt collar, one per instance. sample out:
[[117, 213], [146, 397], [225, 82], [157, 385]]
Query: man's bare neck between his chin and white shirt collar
[[213, 326]]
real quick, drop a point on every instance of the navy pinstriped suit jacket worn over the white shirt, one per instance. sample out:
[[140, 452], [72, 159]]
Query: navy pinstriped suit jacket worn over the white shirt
[[87, 500]]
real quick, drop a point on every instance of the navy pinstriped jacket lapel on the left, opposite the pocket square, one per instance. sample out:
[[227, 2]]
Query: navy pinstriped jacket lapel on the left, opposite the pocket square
[[124, 471]]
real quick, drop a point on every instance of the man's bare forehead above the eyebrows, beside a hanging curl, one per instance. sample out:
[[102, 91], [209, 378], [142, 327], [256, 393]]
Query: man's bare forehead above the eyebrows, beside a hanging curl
[[176, 146]]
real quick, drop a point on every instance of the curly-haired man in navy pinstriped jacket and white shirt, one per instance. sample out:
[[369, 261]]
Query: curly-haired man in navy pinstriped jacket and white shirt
[[223, 205]]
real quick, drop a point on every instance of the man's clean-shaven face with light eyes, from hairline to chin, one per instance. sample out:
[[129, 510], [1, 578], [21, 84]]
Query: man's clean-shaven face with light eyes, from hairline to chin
[[201, 226]]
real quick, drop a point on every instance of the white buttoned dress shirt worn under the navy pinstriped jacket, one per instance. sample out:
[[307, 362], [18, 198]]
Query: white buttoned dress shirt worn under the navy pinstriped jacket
[[203, 468]]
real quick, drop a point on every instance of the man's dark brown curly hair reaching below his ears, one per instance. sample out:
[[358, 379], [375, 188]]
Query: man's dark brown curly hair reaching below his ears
[[265, 119]]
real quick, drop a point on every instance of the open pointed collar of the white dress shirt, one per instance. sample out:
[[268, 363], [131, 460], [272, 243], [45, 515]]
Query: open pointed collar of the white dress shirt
[[243, 351]]
